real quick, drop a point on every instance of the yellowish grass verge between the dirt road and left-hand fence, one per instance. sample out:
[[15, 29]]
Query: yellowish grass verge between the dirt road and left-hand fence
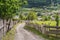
[[10, 35]]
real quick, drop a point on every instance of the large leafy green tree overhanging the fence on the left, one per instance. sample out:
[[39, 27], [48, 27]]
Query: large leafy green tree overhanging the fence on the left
[[8, 9]]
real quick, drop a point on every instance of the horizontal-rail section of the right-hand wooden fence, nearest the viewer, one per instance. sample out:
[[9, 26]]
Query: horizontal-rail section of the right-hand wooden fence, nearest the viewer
[[53, 31]]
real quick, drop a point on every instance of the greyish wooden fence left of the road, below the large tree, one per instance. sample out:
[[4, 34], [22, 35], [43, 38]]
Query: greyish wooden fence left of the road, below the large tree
[[4, 28]]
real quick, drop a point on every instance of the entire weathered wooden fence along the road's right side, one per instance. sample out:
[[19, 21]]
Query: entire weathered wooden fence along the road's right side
[[52, 31]]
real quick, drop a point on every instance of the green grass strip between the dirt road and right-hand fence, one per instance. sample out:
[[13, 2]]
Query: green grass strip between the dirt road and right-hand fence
[[39, 33]]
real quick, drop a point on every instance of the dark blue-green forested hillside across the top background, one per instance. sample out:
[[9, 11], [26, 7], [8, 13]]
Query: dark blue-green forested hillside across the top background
[[39, 3]]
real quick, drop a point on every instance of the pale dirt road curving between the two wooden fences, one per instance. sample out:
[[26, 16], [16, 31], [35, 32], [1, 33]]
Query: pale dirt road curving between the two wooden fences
[[22, 34]]
